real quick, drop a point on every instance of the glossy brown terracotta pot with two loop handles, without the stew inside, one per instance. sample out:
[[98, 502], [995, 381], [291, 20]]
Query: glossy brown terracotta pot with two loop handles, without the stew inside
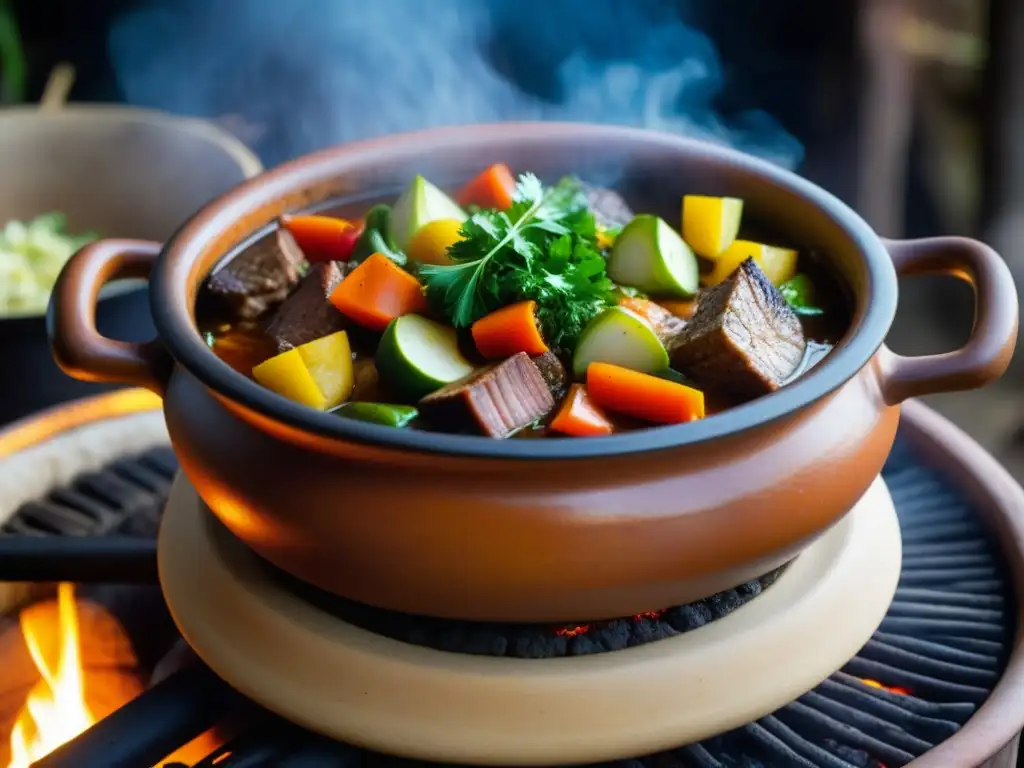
[[552, 530]]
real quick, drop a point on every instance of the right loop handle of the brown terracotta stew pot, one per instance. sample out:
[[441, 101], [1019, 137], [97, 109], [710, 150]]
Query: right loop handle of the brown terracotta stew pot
[[988, 353]]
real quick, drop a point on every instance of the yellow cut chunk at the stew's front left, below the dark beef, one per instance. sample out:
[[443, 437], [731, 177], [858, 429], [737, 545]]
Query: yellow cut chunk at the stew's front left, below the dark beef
[[318, 374]]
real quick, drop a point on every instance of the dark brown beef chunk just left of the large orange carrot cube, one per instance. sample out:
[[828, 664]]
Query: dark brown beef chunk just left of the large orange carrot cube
[[308, 315]]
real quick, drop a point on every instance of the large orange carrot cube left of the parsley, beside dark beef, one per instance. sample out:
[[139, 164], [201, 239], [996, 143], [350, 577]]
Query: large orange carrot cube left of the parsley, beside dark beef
[[377, 292]]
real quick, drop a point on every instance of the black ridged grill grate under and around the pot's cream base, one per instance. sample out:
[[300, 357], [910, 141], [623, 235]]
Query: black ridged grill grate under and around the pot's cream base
[[937, 655]]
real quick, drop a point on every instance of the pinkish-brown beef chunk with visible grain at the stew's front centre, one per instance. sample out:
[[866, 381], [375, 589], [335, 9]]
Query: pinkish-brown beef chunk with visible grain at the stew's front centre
[[496, 401]]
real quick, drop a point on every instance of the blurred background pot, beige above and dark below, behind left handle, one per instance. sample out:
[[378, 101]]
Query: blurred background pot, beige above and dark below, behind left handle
[[113, 170]]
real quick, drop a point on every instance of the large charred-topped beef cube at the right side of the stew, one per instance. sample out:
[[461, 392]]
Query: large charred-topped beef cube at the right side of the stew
[[744, 338]]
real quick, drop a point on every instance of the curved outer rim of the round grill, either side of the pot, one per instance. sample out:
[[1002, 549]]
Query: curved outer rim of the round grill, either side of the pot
[[943, 446]]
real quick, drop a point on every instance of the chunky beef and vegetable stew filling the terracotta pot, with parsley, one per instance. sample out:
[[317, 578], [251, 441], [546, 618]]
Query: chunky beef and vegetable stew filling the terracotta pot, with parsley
[[523, 310]]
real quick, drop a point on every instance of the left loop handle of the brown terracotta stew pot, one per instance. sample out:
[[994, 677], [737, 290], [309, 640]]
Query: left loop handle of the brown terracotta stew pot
[[71, 323]]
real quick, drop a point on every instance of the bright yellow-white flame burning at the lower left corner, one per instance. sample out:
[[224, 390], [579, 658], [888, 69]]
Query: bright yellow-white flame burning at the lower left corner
[[56, 710]]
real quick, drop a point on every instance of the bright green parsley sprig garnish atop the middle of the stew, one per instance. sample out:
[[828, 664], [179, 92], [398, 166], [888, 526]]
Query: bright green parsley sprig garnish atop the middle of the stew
[[543, 248]]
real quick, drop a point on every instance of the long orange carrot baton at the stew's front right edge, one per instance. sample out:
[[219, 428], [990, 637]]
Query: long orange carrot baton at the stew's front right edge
[[644, 397]]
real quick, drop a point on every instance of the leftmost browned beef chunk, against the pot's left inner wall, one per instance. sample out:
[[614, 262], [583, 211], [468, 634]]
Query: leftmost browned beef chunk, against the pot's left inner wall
[[261, 277]]
